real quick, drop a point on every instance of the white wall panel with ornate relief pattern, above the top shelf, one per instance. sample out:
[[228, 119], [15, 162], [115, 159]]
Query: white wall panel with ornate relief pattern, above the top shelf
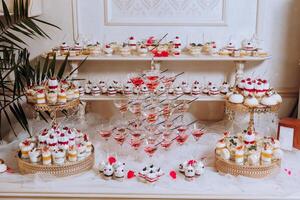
[[165, 12]]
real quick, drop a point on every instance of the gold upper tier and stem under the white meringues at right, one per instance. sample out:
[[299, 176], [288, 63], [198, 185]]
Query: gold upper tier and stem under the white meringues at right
[[251, 110]]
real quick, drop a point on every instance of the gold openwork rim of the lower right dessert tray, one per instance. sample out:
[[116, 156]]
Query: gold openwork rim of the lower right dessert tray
[[261, 171]]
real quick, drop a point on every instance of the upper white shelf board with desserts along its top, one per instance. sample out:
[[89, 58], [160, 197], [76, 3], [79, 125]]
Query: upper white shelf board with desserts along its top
[[183, 57]]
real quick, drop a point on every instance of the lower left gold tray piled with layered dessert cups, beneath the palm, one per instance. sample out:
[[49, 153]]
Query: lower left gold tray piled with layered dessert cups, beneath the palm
[[60, 151]]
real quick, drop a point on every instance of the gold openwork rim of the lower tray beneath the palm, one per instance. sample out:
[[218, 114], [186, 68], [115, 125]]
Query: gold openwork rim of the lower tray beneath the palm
[[68, 169]]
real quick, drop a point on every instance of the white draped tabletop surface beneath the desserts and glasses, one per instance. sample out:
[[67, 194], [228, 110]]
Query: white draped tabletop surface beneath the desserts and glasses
[[212, 185]]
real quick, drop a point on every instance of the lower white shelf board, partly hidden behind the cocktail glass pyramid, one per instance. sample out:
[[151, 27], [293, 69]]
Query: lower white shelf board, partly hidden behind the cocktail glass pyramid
[[201, 97]]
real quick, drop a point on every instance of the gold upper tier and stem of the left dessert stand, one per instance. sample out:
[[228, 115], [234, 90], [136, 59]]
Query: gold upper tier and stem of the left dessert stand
[[52, 109]]
